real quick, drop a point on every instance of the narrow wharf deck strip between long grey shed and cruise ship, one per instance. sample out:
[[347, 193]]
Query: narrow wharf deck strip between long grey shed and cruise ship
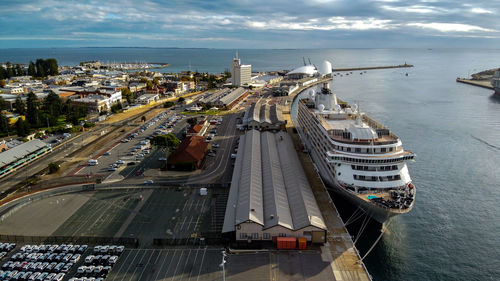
[[339, 249]]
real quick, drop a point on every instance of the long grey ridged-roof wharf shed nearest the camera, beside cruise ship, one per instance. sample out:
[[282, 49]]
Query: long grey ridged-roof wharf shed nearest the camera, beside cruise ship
[[270, 196]]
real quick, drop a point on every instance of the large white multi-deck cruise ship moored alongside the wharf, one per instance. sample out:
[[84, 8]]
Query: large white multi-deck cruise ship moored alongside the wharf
[[357, 157]]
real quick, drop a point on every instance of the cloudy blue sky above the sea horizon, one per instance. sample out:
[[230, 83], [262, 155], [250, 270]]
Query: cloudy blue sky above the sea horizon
[[250, 23]]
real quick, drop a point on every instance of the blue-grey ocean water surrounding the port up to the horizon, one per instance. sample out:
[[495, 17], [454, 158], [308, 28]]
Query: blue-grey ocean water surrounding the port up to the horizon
[[453, 232]]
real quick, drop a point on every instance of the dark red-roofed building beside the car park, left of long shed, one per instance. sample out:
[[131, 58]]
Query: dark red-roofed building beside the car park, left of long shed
[[189, 154]]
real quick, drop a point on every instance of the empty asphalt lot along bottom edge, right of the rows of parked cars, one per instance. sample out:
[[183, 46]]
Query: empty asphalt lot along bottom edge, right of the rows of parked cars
[[202, 263]]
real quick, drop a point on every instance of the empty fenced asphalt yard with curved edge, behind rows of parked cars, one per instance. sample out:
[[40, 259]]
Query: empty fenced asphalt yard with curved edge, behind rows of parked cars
[[163, 213]]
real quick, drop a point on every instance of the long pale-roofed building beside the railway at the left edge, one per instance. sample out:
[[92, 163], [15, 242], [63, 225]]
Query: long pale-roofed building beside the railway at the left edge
[[22, 154]]
